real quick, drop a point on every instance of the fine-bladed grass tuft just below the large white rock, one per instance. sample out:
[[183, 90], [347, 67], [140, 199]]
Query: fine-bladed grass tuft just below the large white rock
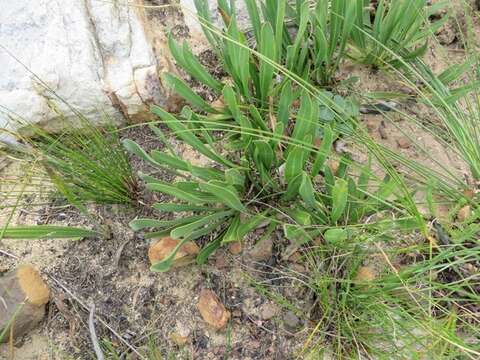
[[86, 163]]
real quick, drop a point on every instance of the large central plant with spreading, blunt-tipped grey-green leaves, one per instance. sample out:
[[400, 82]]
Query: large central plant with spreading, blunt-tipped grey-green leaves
[[266, 177]]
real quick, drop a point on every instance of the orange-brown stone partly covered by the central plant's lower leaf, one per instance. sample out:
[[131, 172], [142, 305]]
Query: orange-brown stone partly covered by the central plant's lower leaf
[[164, 247]]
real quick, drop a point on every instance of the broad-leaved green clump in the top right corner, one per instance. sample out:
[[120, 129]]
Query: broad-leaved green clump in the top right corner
[[400, 29]]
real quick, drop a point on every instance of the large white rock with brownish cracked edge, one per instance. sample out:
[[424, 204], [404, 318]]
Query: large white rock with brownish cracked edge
[[100, 57]]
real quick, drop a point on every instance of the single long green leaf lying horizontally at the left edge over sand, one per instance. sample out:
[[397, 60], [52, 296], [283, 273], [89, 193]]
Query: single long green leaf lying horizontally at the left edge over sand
[[44, 232]]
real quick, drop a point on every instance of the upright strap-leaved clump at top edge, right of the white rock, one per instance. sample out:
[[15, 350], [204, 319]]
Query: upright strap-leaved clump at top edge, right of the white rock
[[311, 43]]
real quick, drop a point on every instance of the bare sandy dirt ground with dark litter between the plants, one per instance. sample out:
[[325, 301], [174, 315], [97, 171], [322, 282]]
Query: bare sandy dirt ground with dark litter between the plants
[[141, 306]]
